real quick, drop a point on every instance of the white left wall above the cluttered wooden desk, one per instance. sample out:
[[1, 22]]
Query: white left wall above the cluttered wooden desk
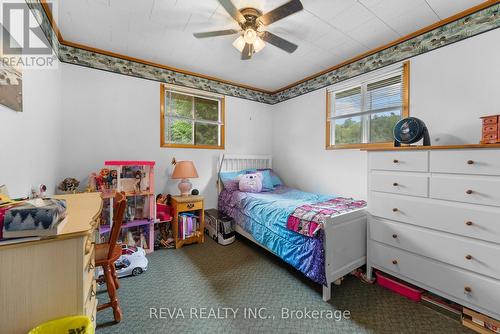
[[31, 140]]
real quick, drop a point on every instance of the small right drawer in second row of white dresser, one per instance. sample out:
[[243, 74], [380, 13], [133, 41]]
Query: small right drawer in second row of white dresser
[[469, 189]]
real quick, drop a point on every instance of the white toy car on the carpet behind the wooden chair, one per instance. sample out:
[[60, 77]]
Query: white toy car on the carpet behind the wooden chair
[[132, 262]]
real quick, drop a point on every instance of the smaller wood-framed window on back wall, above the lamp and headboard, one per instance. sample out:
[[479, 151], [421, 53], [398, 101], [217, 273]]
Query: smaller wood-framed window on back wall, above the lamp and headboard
[[191, 119]]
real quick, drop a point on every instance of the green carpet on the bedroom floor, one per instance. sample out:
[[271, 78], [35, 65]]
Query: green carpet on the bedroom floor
[[199, 277]]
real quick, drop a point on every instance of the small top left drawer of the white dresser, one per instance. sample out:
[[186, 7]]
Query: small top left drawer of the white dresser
[[402, 161]]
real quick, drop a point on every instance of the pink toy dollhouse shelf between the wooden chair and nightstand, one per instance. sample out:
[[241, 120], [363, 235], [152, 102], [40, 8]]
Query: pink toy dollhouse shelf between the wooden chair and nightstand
[[136, 179]]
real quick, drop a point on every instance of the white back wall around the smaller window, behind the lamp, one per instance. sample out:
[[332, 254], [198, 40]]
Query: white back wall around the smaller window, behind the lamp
[[114, 117]]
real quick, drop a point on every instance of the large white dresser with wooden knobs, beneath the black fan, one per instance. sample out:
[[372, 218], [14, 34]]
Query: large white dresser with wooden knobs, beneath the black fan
[[434, 220]]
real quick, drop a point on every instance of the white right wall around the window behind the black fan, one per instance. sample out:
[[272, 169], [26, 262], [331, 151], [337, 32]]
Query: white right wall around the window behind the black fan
[[450, 88]]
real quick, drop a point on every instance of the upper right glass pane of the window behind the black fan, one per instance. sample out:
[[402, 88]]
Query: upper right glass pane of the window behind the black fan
[[384, 94]]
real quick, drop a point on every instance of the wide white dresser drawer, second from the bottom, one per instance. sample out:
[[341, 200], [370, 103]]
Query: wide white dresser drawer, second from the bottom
[[476, 256]]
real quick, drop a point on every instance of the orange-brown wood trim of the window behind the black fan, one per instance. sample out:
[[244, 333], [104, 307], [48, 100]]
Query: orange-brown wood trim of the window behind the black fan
[[405, 113]]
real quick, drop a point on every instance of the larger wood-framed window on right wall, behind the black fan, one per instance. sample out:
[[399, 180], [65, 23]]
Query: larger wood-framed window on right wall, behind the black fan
[[363, 112]]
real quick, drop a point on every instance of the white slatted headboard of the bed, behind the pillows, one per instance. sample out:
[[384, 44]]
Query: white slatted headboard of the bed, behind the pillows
[[237, 162]]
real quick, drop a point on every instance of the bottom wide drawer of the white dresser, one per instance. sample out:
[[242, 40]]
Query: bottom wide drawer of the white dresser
[[450, 281]]
